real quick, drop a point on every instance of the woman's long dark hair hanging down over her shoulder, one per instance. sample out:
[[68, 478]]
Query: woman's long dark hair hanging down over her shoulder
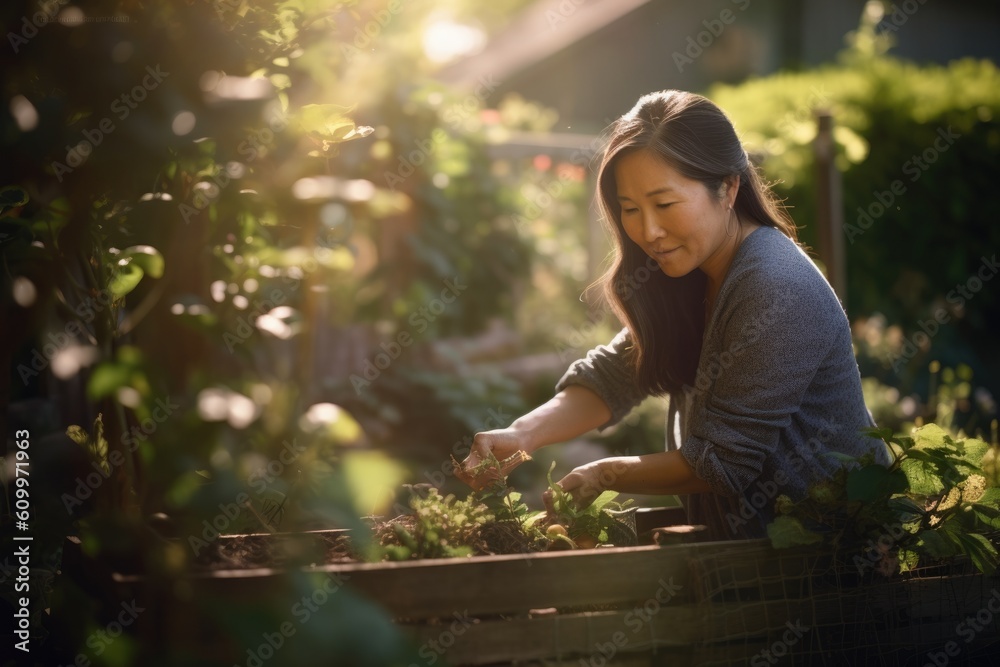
[[664, 314]]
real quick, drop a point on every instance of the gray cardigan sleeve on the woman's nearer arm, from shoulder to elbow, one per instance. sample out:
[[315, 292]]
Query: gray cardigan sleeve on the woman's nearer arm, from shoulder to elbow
[[776, 336]]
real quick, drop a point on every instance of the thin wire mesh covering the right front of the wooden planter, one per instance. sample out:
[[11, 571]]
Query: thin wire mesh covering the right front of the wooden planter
[[808, 607]]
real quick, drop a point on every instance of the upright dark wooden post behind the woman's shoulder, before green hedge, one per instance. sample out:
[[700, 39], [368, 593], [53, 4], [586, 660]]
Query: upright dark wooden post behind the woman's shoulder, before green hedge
[[829, 206]]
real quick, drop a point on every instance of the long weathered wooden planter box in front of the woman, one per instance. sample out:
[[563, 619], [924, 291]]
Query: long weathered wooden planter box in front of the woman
[[711, 603]]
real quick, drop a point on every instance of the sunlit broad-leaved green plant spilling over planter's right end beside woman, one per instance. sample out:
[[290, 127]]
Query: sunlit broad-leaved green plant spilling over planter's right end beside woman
[[933, 502]]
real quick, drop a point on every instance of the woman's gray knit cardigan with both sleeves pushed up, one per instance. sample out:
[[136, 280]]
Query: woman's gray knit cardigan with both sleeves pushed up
[[777, 387]]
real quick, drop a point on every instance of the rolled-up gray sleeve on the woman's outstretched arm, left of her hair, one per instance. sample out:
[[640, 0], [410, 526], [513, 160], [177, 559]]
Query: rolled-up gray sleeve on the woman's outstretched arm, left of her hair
[[606, 372]]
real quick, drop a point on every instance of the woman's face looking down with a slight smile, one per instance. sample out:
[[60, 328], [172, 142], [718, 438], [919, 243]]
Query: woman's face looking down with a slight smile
[[672, 218]]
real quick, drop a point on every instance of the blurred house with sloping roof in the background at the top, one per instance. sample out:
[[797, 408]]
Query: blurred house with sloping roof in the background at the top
[[590, 60]]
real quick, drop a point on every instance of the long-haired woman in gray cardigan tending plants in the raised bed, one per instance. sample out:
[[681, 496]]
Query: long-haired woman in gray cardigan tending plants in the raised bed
[[724, 313]]
